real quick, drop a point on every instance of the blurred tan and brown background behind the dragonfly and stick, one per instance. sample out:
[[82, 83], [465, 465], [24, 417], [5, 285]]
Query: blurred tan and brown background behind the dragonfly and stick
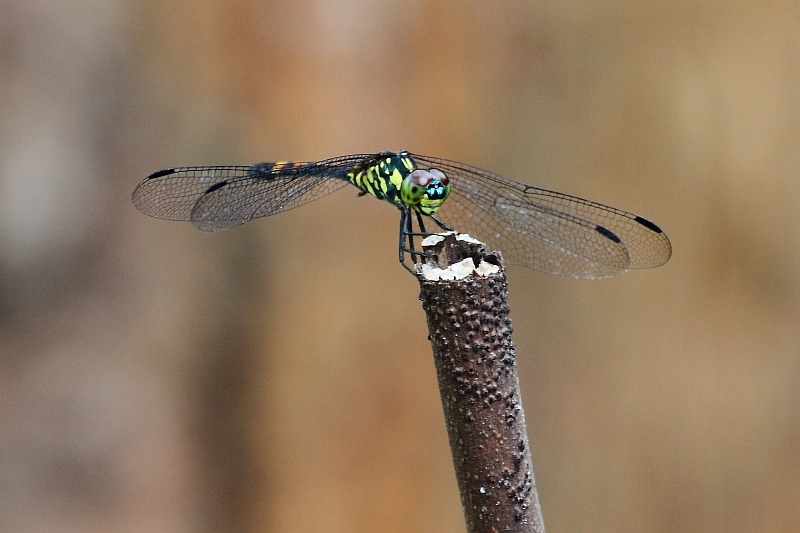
[[277, 377]]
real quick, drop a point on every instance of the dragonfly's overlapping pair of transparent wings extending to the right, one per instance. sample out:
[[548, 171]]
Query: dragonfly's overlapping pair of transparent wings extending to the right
[[545, 230]]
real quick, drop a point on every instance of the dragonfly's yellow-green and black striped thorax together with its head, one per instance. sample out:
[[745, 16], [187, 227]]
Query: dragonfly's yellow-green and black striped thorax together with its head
[[395, 178]]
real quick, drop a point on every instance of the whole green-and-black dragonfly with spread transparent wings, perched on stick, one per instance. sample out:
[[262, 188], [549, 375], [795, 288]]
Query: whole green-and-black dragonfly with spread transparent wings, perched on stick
[[543, 230]]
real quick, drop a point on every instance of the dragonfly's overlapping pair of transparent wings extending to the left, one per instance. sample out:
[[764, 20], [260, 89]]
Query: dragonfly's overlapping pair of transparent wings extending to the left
[[215, 198]]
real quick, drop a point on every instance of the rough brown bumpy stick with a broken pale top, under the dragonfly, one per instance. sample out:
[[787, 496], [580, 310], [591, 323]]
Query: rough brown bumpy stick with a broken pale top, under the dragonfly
[[470, 331]]
